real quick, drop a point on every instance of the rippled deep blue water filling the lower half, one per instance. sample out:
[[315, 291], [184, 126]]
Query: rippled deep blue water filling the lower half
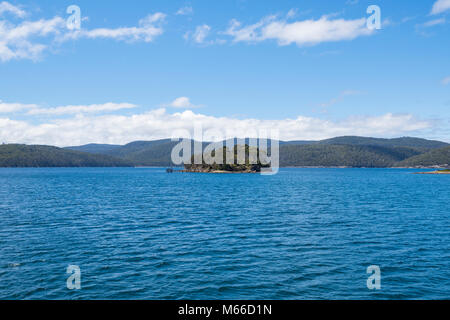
[[301, 234]]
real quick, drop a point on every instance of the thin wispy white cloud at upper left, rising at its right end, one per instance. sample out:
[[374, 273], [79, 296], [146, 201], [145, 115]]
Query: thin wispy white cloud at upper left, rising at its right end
[[149, 28]]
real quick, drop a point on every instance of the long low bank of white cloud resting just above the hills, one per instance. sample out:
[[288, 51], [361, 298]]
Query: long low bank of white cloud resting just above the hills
[[158, 124]]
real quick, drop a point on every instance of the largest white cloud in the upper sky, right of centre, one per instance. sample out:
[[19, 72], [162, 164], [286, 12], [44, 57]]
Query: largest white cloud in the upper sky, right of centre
[[306, 32]]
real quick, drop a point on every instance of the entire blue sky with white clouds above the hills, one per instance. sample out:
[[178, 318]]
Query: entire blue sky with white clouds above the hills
[[144, 70]]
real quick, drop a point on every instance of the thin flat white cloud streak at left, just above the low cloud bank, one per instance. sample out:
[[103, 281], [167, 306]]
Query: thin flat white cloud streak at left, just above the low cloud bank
[[94, 108]]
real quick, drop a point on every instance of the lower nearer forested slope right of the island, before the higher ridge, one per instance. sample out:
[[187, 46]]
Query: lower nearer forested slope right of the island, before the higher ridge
[[342, 155]]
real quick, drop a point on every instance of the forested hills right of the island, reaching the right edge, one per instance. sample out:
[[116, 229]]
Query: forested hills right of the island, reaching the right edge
[[366, 152]]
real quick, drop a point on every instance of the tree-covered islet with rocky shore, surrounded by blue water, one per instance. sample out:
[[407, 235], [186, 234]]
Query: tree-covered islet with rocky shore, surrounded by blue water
[[239, 164]]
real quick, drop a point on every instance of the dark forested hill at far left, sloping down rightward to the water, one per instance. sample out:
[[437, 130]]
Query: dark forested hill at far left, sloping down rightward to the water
[[15, 155]]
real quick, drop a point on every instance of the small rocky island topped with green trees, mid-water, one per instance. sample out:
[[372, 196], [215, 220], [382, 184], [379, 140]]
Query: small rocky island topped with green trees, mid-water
[[243, 166]]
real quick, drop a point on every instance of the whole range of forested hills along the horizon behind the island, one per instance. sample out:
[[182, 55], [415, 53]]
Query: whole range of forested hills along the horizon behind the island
[[341, 151]]
